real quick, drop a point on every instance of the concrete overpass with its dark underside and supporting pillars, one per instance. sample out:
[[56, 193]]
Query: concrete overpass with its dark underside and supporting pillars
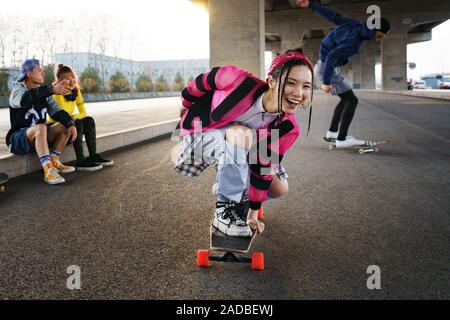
[[240, 32]]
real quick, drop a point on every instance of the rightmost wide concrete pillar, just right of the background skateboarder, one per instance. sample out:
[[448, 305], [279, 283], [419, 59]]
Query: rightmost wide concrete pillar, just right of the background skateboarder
[[393, 60]]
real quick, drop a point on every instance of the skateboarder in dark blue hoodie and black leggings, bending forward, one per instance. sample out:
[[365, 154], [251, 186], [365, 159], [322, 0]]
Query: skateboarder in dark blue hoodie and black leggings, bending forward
[[336, 50]]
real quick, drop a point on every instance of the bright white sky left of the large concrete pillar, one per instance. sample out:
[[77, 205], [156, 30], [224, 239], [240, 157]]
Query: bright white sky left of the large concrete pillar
[[157, 29]]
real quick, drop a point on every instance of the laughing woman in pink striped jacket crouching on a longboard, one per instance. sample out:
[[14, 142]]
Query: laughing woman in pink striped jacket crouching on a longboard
[[232, 104]]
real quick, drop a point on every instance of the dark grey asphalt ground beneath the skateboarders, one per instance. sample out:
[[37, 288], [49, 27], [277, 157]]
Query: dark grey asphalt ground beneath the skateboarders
[[134, 228]]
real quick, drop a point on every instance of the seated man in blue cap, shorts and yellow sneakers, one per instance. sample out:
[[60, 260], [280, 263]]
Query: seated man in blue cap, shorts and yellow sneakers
[[30, 101]]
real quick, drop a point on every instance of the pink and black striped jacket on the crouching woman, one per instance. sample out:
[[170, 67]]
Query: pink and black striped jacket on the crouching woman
[[221, 95]]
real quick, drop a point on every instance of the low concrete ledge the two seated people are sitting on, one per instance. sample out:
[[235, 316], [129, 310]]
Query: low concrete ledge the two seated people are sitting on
[[19, 165]]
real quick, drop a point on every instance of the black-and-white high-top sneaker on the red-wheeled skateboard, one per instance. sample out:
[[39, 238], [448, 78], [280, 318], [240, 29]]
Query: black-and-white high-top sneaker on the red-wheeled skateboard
[[228, 221]]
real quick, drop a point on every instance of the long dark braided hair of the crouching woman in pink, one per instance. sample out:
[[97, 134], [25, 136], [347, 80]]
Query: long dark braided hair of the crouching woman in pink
[[286, 69]]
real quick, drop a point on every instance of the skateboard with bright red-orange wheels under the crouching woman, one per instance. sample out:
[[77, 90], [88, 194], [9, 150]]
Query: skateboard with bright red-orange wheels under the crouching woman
[[230, 247]]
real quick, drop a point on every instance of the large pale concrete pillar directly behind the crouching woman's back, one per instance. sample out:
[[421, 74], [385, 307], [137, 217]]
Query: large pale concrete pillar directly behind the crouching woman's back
[[237, 34]]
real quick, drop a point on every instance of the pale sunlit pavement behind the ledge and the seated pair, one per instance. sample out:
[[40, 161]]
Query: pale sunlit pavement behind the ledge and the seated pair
[[112, 116]]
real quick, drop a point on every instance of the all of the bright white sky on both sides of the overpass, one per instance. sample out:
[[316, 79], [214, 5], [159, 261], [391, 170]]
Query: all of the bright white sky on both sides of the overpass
[[177, 29]]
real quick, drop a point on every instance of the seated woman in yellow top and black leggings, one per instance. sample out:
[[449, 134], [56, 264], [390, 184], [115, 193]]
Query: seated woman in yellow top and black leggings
[[85, 124]]
